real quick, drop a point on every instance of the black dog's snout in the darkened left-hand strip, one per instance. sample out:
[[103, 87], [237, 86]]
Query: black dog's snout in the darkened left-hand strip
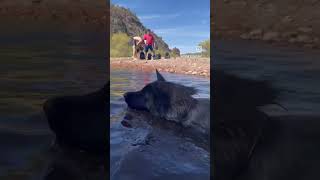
[[80, 121]]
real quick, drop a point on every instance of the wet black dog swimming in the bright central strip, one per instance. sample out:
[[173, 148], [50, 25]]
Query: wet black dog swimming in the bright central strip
[[172, 102]]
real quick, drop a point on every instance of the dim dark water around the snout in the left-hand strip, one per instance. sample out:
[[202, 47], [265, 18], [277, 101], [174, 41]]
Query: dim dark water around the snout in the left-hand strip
[[34, 67]]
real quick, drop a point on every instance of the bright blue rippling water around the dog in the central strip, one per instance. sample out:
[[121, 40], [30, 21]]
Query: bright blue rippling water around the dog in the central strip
[[169, 156]]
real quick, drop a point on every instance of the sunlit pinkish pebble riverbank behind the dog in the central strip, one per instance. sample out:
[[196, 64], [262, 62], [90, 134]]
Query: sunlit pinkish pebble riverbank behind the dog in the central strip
[[189, 66]]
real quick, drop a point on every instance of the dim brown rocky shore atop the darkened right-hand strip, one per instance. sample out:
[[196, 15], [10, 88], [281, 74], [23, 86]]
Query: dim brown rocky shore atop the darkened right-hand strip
[[286, 21]]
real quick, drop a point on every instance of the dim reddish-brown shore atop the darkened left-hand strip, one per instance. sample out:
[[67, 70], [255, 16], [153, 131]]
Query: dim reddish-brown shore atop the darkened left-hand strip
[[57, 15]]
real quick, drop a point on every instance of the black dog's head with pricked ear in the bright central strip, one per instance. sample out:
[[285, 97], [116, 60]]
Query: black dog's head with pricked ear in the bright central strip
[[163, 99]]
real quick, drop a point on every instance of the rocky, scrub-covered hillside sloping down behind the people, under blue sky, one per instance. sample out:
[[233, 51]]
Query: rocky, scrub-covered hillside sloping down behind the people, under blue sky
[[123, 20]]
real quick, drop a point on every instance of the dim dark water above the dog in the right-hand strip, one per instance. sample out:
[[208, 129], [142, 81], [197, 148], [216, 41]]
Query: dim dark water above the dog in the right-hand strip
[[294, 71]]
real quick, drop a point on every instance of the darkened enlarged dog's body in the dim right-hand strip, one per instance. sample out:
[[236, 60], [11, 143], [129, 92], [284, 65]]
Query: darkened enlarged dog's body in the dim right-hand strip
[[249, 145]]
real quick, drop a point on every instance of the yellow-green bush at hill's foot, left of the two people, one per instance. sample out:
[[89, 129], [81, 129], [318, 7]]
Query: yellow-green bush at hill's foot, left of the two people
[[119, 45]]
